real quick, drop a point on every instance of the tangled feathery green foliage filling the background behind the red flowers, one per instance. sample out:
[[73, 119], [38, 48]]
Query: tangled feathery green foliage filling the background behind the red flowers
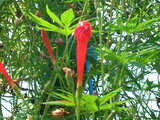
[[125, 37]]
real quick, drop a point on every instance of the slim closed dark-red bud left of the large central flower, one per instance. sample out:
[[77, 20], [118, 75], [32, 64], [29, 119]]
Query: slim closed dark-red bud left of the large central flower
[[47, 44]]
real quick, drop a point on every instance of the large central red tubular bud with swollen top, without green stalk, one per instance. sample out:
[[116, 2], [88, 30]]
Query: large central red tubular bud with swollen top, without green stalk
[[83, 34]]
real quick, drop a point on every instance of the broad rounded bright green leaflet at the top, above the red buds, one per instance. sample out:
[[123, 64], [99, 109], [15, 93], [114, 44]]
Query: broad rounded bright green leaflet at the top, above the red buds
[[67, 16]]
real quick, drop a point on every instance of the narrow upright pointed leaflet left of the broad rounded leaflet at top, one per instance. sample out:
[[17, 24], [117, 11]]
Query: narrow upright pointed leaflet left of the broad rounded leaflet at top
[[53, 16]]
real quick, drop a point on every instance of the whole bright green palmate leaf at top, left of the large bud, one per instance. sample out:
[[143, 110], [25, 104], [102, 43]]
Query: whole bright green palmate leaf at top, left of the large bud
[[66, 19]]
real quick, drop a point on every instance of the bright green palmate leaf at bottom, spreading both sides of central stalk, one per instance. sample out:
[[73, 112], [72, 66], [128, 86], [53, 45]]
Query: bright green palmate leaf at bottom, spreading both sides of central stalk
[[88, 102]]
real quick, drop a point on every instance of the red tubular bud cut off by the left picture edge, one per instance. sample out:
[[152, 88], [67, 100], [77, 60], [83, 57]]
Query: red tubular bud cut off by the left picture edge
[[5, 74]]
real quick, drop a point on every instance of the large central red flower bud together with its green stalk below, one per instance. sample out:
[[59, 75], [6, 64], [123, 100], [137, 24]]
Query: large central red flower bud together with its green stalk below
[[83, 34]]
